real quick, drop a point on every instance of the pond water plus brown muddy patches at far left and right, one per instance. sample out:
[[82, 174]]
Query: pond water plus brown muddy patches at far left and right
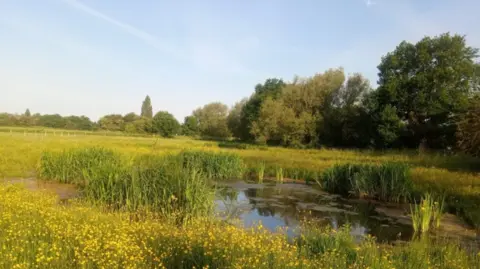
[[286, 205]]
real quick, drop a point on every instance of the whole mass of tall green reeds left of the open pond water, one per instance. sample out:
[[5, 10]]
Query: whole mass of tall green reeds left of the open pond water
[[169, 186]]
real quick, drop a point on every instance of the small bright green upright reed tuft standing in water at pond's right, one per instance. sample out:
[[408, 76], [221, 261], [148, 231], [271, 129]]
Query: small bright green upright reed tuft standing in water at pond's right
[[427, 214]]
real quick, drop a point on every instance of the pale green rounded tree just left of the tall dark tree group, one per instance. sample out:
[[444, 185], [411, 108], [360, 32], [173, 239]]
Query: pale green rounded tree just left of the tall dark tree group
[[212, 120]]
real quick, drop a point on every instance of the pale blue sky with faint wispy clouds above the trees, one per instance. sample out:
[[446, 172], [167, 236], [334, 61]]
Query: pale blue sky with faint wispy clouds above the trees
[[96, 57]]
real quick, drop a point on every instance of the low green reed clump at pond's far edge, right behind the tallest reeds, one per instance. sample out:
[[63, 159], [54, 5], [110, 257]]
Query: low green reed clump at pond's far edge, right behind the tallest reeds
[[215, 165]]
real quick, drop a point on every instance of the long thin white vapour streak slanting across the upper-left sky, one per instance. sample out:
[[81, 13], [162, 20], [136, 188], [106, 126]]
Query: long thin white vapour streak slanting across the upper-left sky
[[148, 38]]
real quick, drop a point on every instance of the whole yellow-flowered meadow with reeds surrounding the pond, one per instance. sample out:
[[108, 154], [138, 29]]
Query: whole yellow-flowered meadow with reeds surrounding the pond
[[147, 203]]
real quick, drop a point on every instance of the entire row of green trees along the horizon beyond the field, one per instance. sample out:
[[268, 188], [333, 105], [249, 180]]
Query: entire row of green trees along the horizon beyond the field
[[427, 97]]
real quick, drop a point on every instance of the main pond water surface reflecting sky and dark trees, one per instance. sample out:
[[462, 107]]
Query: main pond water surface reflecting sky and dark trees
[[285, 205]]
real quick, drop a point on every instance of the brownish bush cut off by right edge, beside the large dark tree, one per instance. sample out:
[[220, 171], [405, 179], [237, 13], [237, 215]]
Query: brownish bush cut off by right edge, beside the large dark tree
[[468, 133]]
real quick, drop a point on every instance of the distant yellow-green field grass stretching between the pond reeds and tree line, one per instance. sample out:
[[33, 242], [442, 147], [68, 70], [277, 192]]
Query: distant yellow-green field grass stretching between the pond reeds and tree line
[[455, 176]]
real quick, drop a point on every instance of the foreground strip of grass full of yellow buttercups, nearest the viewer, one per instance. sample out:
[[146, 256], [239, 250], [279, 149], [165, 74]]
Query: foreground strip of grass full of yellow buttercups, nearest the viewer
[[38, 232]]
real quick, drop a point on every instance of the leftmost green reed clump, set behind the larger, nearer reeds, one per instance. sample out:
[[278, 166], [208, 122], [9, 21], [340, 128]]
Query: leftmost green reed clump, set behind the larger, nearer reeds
[[70, 166]]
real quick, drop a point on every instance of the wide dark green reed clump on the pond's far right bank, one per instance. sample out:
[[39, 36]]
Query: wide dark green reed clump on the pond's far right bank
[[385, 182]]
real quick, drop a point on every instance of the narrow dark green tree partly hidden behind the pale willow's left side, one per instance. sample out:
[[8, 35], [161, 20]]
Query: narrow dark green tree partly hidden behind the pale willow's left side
[[272, 87]]
